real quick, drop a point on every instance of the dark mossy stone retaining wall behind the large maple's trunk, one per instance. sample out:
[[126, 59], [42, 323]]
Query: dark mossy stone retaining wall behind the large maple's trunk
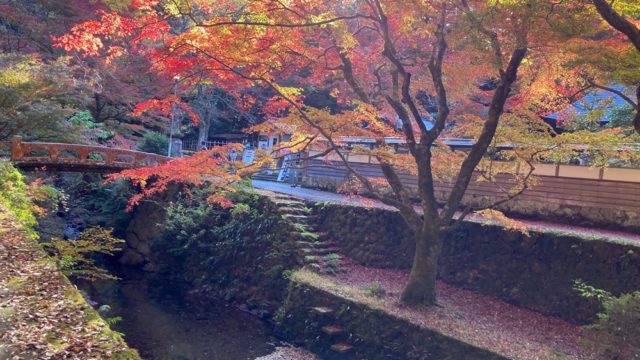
[[536, 272]]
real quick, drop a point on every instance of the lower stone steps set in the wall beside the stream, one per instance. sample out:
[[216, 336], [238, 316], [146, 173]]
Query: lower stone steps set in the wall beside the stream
[[332, 333]]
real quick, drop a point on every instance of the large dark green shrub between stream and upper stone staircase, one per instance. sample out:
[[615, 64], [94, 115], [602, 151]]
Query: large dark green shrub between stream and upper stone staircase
[[239, 254]]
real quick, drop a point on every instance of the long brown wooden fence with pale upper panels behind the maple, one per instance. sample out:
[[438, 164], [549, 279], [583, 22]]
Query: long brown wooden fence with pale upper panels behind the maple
[[579, 195]]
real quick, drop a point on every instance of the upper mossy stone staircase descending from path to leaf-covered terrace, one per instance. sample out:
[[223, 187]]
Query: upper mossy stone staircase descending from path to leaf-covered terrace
[[316, 253]]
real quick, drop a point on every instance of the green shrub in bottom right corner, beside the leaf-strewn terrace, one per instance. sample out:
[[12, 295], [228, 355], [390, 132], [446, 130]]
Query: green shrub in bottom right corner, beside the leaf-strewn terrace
[[616, 332]]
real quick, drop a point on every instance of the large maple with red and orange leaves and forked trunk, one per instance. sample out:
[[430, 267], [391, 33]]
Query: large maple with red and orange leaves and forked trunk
[[474, 68]]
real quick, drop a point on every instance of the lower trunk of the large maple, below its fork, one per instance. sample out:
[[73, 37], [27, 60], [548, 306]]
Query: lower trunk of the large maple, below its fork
[[421, 287]]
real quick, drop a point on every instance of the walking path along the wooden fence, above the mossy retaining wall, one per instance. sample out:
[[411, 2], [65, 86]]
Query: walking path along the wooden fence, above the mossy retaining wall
[[533, 225]]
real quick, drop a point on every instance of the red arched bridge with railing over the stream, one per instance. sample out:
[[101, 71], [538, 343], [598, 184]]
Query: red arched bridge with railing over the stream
[[76, 158]]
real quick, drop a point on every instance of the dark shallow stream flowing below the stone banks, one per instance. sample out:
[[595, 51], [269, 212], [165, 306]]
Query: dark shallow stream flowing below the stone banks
[[161, 324]]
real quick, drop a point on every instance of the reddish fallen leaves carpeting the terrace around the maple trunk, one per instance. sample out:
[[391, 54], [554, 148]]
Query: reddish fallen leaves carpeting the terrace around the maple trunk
[[477, 319]]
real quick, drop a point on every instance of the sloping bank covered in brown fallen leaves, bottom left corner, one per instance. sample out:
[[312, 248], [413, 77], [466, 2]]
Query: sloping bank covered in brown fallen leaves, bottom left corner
[[42, 315]]
